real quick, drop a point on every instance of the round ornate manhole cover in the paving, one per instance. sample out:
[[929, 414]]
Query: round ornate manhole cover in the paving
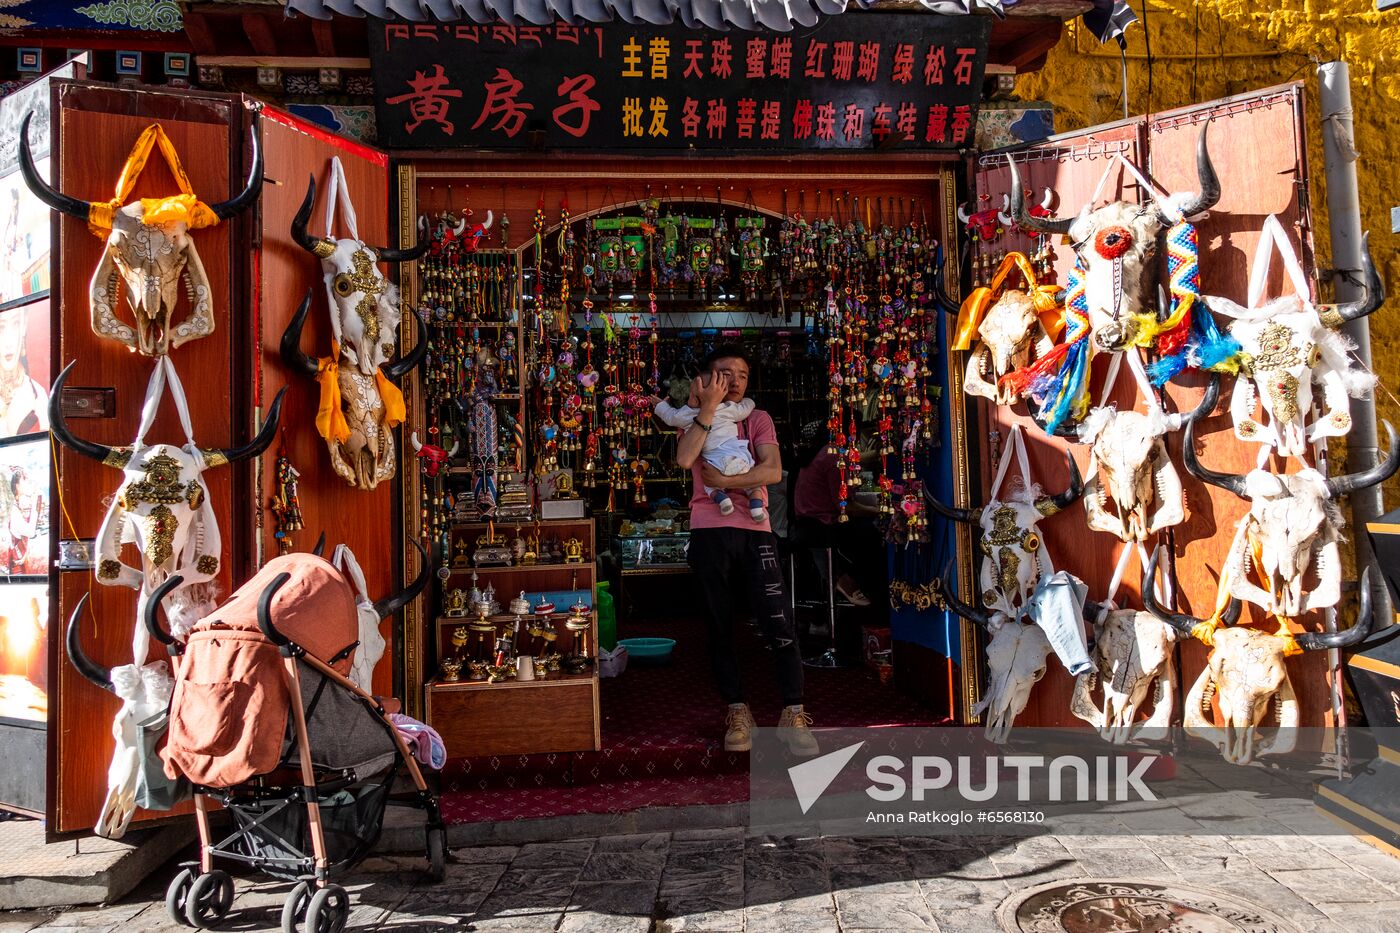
[[1107, 906]]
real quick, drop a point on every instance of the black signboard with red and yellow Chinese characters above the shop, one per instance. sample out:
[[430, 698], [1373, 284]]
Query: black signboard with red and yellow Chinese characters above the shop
[[855, 82]]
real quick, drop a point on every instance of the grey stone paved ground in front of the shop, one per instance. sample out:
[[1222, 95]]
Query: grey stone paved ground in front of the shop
[[719, 880]]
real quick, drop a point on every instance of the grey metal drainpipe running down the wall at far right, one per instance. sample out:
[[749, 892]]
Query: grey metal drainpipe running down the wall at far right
[[1345, 223]]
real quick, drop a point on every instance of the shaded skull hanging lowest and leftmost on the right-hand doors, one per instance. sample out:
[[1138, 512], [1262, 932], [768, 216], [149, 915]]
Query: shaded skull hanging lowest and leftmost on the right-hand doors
[[1016, 663]]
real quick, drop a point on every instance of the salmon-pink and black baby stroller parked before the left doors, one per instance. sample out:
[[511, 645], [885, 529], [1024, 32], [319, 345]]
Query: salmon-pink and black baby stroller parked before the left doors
[[265, 722]]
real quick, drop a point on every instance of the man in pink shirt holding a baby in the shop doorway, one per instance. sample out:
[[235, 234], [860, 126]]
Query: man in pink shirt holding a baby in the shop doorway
[[731, 450]]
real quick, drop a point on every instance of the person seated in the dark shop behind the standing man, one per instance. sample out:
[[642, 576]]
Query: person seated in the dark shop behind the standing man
[[857, 544]]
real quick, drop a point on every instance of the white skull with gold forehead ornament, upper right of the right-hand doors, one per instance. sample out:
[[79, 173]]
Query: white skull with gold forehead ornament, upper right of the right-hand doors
[[1289, 347]]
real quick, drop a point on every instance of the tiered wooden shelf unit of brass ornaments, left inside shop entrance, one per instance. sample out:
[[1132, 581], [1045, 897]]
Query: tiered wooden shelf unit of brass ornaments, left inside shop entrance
[[556, 712]]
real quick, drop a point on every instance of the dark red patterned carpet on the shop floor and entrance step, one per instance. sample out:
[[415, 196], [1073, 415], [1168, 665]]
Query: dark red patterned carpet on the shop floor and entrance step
[[663, 729]]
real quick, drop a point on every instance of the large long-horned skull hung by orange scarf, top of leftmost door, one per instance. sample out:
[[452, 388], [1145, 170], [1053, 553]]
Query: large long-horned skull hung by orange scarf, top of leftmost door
[[150, 258]]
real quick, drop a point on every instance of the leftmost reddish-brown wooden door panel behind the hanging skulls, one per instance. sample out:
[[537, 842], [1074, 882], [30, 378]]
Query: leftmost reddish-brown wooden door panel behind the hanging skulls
[[94, 130]]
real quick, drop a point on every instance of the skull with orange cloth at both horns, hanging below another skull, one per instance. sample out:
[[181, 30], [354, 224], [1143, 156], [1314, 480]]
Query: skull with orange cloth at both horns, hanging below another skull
[[360, 429]]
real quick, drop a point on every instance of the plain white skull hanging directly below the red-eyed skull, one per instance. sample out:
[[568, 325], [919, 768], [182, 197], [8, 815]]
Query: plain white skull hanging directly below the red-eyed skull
[[1133, 490]]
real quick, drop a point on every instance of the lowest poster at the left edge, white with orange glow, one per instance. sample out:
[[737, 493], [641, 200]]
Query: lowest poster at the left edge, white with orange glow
[[24, 623]]
